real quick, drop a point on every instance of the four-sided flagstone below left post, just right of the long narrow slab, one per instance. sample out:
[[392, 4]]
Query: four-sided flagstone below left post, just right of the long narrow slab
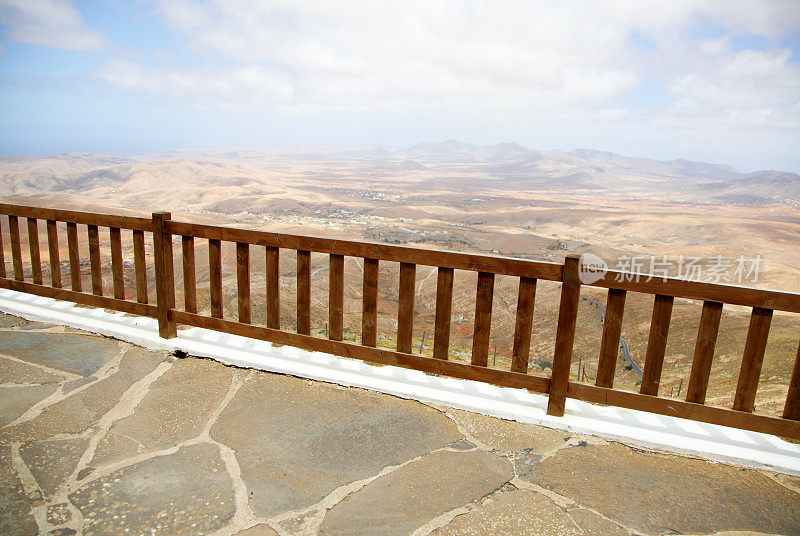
[[178, 404]]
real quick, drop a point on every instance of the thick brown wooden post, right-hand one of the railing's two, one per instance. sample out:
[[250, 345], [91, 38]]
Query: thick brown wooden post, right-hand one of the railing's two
[[565, 336]]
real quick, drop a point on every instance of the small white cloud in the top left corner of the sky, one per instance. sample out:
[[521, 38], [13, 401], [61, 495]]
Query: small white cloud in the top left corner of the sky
[[50, 23]]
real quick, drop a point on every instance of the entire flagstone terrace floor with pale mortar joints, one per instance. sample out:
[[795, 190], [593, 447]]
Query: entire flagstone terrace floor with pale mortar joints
[[100, 437]]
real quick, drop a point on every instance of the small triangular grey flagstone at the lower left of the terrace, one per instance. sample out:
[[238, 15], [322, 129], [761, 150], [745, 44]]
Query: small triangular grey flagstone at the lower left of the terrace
[[51, 462]]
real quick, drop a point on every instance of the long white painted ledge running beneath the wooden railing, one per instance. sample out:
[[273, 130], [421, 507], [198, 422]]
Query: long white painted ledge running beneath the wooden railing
[[671, 434]]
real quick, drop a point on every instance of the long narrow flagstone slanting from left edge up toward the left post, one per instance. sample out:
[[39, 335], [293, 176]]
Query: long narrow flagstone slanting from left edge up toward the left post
[[79, 411]]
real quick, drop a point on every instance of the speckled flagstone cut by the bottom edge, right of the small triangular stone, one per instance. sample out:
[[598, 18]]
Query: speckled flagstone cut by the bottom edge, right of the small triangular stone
[[188, 492]]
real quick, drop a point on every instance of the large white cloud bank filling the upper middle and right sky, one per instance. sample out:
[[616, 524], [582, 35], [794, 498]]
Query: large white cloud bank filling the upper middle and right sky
[[564, 67]]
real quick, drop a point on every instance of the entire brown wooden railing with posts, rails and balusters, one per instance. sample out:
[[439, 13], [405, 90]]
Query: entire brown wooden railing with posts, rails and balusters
[[558, 386]]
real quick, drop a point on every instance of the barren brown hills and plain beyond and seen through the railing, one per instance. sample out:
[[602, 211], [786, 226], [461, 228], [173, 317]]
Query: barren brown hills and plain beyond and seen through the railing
[[504, 199]]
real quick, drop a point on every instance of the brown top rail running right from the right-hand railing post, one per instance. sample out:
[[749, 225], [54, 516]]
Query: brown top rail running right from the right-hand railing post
[[700, 290]]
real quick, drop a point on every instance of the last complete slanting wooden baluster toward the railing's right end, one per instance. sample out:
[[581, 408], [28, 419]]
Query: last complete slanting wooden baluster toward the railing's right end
[[753, 357]]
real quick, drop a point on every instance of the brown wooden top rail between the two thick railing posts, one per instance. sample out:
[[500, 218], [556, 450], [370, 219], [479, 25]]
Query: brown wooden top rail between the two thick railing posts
[[373, 250]]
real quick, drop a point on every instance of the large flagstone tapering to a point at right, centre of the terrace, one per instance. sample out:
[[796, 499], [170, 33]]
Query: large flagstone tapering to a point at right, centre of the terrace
[[296, 440]]
